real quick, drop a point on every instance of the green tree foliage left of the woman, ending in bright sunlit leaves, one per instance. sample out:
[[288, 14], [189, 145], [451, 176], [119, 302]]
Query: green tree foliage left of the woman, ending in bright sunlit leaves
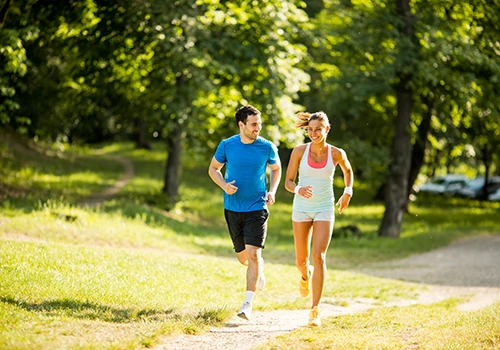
[[101, 68]]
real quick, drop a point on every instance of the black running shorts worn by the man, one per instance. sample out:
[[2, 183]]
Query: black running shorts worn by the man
[[247, 228]]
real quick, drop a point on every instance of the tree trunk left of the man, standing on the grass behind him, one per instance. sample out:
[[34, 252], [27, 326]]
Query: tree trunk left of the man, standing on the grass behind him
[[173, 166]]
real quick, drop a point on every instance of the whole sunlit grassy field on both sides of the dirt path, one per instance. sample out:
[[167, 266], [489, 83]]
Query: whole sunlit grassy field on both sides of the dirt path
[[123, 274]]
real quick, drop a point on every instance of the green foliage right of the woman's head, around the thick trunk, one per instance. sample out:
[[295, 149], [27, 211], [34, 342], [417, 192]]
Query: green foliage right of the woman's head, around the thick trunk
[[356, 52]]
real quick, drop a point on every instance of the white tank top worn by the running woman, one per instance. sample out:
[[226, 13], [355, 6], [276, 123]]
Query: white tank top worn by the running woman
[[322, 182]]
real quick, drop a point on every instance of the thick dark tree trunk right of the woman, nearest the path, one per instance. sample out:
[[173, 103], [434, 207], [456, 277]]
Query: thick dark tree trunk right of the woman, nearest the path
[[397, 183]]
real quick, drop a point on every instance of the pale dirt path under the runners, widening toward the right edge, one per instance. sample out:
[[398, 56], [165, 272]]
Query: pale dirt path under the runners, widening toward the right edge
[[464, 268]]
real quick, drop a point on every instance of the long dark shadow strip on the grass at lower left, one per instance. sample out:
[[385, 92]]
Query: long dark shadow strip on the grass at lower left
[[90, 311]]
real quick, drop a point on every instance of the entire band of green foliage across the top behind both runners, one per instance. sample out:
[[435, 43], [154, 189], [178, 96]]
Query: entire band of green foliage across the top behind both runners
[[90, 71]]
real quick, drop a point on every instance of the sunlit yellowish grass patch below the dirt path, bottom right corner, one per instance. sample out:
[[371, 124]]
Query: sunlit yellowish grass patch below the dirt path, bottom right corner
[[440, 326]]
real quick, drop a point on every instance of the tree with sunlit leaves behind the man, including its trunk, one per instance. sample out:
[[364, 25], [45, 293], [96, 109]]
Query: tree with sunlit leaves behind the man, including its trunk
[[220, 56]]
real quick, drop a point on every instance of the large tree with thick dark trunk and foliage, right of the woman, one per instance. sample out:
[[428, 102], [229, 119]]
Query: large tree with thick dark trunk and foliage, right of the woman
[[410, 65]]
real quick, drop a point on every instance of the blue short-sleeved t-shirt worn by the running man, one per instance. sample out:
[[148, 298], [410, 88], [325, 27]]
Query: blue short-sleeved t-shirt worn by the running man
[[246, 163]]
